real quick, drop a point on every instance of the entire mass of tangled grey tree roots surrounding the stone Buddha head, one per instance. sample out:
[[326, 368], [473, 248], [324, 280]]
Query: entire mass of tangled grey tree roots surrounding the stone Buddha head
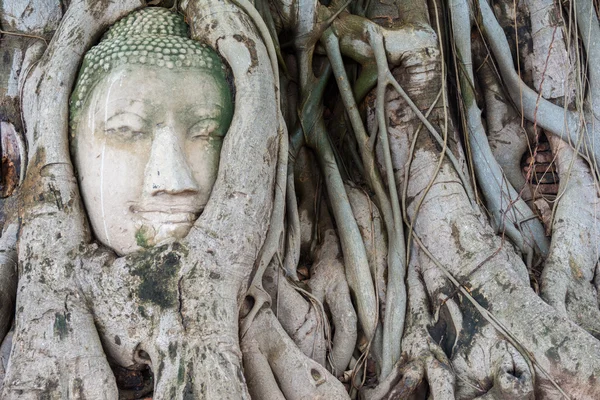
[[406, 207]]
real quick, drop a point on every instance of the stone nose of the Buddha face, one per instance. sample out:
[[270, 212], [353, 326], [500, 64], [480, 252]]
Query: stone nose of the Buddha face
[[167, 170]]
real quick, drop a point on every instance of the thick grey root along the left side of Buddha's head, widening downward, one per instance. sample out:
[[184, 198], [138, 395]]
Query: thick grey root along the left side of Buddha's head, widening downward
[[46, 348]]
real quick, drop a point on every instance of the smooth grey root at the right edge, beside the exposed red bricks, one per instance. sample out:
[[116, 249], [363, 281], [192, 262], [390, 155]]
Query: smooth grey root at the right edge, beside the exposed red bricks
[[569, 271]]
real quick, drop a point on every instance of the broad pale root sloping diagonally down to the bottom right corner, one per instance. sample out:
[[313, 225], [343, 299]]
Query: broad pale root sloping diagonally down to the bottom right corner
[[496, 280]]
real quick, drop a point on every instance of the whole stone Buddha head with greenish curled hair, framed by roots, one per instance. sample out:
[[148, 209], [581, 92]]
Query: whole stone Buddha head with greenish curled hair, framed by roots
[[148, 116]]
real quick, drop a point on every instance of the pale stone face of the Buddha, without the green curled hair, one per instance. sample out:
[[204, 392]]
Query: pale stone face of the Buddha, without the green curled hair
[[147, 152]]
